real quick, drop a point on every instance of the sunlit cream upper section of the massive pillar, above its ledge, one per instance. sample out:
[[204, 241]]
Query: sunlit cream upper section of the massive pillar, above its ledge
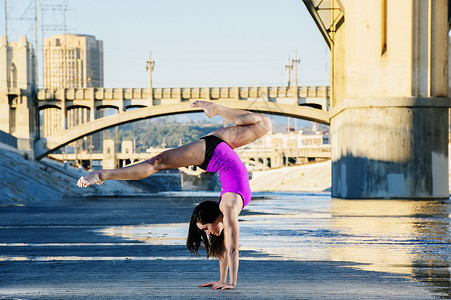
[[411, 65]]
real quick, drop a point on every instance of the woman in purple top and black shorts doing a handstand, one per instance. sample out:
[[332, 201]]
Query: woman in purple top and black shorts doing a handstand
[[213, 225]]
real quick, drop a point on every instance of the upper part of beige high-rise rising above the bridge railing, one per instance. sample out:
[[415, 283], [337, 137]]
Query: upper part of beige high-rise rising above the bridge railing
[[73, 61]]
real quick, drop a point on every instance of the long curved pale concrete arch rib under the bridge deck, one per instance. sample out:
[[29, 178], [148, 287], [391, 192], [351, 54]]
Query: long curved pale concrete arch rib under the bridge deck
[[49, 144]]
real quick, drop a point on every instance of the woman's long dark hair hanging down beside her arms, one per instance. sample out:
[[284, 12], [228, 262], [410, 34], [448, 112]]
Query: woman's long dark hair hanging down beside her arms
[[204, 213]]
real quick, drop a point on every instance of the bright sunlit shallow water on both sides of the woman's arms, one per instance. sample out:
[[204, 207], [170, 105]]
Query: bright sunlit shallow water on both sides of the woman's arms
[[403, 237]]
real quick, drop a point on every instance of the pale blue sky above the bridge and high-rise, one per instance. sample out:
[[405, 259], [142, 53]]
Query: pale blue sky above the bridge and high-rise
[[194, 43]]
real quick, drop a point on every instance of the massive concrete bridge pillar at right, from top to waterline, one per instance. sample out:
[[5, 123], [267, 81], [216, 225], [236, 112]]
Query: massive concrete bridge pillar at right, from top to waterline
[[389, 121]]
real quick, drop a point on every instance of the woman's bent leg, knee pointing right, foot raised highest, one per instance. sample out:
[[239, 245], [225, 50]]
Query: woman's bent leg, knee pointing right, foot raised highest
[[250, 126]]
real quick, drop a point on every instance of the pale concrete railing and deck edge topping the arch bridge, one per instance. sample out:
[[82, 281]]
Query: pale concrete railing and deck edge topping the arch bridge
[[124, 98]]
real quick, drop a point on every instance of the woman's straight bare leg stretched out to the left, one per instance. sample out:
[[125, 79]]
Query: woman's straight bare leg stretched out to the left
[[186, 155]]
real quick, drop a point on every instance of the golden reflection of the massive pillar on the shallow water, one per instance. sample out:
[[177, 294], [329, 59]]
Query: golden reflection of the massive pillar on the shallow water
[[402, 237]]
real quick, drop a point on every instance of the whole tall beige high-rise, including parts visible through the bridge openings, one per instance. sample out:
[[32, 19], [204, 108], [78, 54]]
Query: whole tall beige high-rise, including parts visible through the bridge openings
[[72, 61]]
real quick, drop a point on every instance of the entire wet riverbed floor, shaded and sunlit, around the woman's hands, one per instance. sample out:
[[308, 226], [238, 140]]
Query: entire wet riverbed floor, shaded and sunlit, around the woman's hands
[[293, 246]]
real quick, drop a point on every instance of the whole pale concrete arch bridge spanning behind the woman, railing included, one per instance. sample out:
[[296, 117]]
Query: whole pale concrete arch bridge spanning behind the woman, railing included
[[309, 103]]
